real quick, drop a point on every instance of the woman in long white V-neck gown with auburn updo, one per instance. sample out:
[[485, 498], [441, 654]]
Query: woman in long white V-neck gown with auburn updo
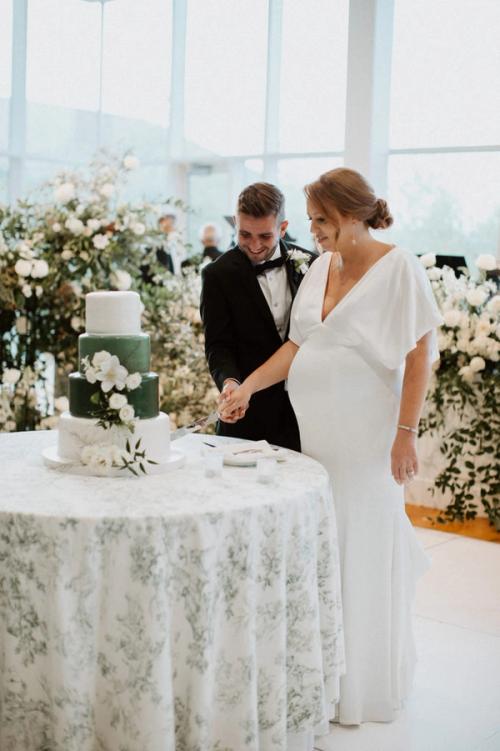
[[361, 345]]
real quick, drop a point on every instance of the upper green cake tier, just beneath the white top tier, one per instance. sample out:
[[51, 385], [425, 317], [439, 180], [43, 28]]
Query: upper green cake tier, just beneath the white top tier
[[133, 350]]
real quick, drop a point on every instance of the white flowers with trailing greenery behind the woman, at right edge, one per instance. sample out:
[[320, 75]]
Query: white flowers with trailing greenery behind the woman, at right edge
[[464, 394]]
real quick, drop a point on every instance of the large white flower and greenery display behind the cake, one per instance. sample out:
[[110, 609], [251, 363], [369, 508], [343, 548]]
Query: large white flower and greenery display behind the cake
[[74, 237]]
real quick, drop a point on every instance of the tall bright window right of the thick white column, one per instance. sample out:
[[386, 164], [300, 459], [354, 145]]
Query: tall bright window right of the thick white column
[[444, 187]]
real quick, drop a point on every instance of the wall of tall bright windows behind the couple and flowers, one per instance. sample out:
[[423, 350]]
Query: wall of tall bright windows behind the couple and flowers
[[262, 95]]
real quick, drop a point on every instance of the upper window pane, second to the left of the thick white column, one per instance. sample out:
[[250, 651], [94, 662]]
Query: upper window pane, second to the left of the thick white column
[[225, 85]]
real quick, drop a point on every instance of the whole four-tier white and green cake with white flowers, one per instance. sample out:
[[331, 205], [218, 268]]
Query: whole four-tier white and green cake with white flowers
[[114, 423]]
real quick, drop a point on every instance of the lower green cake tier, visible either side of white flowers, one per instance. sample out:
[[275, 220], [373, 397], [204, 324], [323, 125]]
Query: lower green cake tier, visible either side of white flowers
[[144, 399]]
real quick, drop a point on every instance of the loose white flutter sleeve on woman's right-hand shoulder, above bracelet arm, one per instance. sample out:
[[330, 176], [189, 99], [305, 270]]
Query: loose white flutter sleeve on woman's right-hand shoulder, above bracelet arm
[[408, 313]]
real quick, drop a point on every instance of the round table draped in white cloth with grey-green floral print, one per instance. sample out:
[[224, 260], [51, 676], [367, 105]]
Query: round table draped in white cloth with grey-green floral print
[[170, 612]]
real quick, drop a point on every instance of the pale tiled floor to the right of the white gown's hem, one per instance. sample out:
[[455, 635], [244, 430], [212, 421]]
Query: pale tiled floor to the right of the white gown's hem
[[455, 704]]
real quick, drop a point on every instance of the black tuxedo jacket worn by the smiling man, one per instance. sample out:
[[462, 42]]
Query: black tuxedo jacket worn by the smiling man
[[240, 334]]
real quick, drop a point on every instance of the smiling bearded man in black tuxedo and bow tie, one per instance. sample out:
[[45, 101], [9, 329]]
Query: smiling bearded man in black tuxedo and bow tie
[[245, 307]]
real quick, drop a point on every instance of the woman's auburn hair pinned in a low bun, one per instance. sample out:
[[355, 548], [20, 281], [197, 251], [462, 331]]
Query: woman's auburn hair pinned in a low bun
[[346, 191]]
